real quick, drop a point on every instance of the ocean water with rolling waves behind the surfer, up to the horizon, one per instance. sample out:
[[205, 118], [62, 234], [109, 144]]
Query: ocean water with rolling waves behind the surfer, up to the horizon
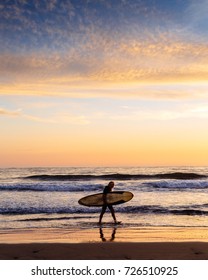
[[32, 198]]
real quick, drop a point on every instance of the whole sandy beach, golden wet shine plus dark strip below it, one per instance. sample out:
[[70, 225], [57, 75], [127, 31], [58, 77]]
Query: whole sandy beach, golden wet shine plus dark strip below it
[[105, 243]]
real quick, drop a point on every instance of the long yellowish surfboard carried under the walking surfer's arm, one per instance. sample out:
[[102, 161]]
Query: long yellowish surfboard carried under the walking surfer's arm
[[111, 198]]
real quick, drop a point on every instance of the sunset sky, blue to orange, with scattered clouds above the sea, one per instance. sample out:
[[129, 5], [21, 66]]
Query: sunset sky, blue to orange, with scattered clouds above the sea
[[103, 83]]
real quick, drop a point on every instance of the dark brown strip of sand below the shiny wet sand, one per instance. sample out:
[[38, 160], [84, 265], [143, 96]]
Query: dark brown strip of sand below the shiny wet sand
[[105, 251]]
